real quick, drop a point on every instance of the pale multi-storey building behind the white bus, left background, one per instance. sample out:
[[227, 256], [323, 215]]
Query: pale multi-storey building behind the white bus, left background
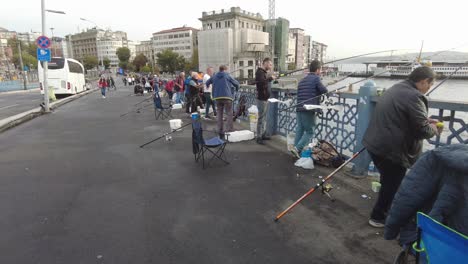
[[98, 43]]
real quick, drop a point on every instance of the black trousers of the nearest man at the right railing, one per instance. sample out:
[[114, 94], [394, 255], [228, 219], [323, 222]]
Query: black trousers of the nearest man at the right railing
[[391, 175]]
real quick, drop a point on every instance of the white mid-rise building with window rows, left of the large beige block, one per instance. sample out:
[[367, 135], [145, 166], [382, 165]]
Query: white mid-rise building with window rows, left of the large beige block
[[182, 40]]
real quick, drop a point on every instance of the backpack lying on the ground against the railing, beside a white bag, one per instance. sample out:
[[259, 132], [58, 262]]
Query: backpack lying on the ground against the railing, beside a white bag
[[325, 154]]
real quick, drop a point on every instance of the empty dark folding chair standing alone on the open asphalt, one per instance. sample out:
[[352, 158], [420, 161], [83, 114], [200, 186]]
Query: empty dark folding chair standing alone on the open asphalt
[[201, 147]]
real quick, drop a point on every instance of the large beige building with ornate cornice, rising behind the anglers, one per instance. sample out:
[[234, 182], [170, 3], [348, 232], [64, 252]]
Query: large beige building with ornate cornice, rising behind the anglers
[[234, 38]]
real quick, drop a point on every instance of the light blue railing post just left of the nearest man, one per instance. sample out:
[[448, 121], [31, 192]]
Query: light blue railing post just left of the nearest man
[[365, 110]]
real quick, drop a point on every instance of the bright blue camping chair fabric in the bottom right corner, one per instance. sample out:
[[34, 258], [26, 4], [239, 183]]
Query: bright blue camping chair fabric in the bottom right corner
[[436, 243]]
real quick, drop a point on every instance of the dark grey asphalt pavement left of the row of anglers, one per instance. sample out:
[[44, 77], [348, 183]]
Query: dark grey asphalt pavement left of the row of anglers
[[76, 188]]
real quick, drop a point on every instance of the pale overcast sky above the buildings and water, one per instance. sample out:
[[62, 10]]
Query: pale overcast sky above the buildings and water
[[348, 26]]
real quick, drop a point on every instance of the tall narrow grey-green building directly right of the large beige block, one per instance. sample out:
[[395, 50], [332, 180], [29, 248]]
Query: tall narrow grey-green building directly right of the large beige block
[[279, 42]]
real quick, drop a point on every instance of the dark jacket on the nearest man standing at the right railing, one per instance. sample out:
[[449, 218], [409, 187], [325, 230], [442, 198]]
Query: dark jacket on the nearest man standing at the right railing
[[399, 125]]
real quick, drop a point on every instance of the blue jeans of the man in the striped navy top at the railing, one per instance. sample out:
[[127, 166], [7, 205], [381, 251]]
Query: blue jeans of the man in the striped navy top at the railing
[[304, 129]]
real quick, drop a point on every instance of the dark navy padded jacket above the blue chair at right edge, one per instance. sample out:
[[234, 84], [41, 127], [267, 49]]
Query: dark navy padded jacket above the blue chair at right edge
[[436, 185]]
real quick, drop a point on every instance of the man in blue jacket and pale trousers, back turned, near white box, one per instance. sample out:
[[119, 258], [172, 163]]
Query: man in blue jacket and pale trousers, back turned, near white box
[[222, 94]]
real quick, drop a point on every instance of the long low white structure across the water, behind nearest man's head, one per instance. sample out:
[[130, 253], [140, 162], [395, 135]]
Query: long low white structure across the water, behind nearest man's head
[[402, 68]]
